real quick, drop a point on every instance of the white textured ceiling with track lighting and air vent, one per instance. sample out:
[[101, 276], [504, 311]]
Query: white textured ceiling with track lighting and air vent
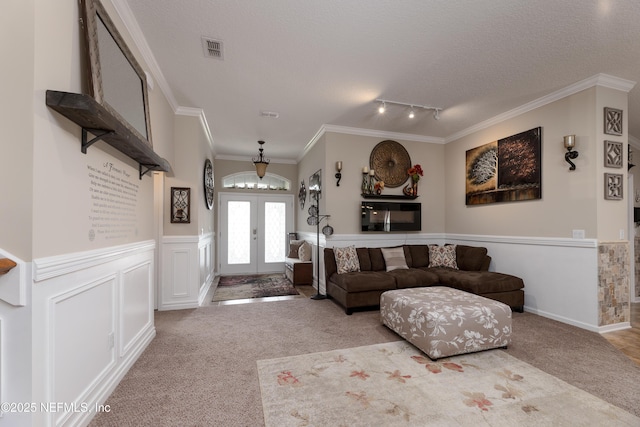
[[325, 62]]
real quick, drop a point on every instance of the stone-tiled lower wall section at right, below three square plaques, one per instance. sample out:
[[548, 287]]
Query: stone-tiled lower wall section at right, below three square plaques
[[613, 283]]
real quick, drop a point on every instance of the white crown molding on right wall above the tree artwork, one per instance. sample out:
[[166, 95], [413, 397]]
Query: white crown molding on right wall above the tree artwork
[[604, 80]]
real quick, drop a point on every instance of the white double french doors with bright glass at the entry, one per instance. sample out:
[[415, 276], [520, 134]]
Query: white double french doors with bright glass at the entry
[[253, 232]]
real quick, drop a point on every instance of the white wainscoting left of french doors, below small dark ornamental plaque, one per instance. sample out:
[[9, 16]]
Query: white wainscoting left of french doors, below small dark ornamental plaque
[[187, 271]]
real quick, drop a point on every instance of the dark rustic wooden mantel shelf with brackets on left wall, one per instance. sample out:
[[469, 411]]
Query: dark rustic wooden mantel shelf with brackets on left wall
[[93, 118]]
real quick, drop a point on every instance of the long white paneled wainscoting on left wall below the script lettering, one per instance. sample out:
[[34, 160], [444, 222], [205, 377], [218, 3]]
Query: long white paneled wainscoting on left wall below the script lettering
[[92, 318]]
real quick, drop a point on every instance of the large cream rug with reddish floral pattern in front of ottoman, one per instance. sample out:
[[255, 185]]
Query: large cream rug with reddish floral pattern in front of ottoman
[[394, 384]]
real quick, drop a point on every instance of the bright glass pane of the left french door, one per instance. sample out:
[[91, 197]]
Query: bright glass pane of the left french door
[[239, 232]]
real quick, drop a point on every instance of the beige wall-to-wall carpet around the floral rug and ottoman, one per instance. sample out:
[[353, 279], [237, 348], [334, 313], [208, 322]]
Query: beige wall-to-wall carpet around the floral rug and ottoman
[[201, 369]]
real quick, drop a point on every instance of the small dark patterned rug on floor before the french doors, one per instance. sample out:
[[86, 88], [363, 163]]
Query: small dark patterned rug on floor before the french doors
[[253, 286]]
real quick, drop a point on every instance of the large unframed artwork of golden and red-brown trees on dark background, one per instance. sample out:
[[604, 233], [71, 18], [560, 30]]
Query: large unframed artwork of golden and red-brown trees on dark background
[[506, 170]]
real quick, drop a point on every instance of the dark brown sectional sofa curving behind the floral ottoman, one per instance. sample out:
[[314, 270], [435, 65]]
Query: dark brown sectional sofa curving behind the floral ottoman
[[362, 289]]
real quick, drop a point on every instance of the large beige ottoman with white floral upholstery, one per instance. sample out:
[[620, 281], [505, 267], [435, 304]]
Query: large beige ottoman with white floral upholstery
[[443, 321]]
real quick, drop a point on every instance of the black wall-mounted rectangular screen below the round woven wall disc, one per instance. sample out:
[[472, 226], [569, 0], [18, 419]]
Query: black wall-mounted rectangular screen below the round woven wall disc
[[391, 216]]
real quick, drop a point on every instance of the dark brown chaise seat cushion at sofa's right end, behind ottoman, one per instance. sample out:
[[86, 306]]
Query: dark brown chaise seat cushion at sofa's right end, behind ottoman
[[478, 282]]
